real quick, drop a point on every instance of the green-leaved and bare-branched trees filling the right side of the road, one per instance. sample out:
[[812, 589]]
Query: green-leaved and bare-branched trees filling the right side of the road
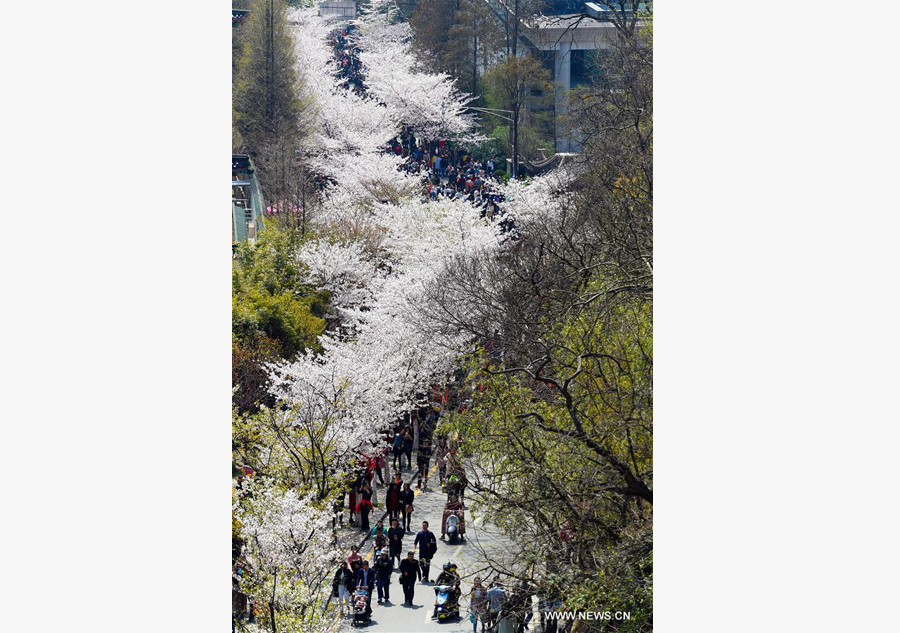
[[560, 419]]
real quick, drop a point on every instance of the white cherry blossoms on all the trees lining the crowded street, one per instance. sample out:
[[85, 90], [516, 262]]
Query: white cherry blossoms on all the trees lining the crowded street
[[381, 249]]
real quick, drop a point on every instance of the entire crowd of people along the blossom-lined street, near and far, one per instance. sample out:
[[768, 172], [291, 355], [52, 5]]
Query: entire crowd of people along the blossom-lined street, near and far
[[447, 171]]
